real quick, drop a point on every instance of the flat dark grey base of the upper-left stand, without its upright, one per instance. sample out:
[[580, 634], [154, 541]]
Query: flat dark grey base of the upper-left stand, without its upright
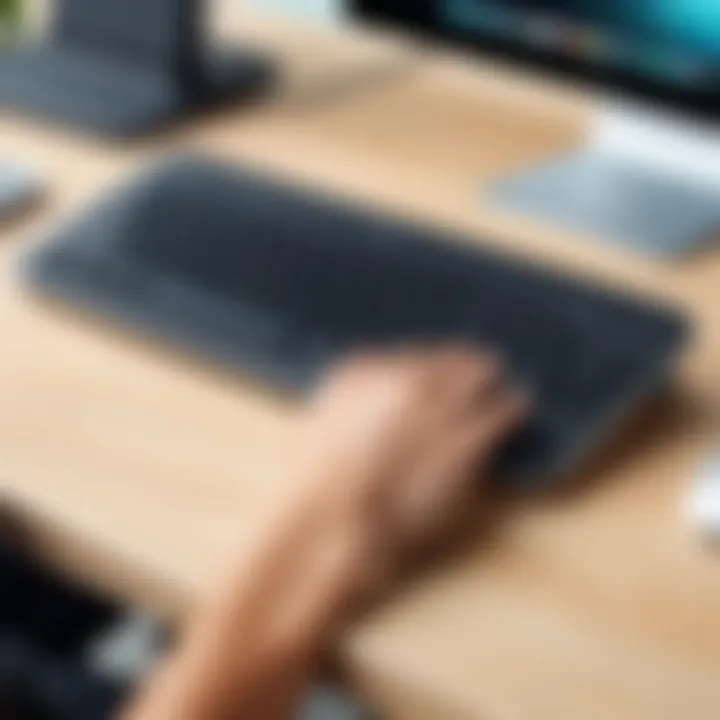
[[113, 97]]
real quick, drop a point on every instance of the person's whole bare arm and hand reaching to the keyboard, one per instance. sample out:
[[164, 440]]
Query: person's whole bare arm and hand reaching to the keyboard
[[393, 448]]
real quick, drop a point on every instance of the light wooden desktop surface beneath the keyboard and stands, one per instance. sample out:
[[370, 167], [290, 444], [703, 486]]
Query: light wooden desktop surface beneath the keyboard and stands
[[138, 469]]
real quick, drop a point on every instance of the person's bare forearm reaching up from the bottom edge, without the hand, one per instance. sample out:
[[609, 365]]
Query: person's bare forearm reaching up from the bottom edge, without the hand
[[253, 650]]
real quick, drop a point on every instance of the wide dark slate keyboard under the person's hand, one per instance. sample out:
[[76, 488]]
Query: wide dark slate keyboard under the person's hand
[[280, 283]]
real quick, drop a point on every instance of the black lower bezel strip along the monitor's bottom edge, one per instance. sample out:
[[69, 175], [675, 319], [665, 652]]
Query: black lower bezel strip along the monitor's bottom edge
[[700, 104]]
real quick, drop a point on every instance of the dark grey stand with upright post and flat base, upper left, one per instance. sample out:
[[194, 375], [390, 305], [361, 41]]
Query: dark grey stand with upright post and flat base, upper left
[[127, 67]]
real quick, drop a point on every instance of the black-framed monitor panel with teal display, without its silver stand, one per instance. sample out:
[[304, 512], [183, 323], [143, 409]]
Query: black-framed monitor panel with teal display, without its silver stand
[[665, 48]]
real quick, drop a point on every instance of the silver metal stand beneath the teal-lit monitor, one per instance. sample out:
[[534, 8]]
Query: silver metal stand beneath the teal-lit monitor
[[644, 181]]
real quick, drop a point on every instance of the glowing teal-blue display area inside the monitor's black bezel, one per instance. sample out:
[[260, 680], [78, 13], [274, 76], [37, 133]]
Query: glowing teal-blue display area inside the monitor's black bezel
[[674, 41]]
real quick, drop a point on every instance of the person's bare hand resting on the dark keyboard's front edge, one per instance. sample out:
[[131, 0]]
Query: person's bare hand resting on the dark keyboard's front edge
[[396, 444]]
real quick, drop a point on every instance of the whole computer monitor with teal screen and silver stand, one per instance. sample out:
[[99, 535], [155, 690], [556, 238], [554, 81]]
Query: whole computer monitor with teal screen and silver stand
[[649, 174]]
